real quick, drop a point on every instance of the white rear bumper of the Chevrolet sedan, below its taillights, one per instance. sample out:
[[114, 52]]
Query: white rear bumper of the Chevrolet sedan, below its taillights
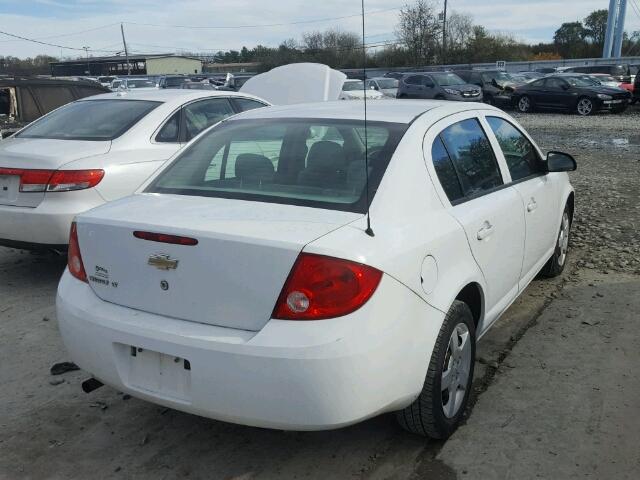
[[290, 375]]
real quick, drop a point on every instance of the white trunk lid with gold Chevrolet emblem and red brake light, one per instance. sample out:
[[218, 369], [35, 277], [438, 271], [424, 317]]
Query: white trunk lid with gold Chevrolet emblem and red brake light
[[231, 278]]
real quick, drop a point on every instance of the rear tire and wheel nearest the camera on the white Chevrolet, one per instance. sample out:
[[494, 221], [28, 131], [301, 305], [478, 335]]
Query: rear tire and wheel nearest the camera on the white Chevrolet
[[439, 408]]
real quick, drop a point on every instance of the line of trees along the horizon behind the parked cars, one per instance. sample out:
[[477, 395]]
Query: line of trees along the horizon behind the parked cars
[[421, 39]]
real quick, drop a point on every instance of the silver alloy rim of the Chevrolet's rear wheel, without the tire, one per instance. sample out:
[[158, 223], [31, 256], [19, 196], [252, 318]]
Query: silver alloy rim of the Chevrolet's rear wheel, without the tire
[[455, 371]]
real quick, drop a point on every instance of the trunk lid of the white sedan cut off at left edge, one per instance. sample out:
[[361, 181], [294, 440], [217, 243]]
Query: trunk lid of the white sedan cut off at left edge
[[18, 154]]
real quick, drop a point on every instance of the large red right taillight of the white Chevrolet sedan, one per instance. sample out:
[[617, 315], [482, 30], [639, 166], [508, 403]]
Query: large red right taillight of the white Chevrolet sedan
[[322, 287]]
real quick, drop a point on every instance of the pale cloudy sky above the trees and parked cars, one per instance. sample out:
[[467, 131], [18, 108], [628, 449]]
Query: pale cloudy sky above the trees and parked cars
[[157, 26]]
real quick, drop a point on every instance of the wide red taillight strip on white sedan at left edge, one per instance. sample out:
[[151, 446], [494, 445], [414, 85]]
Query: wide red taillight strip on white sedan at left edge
[[54, 180]]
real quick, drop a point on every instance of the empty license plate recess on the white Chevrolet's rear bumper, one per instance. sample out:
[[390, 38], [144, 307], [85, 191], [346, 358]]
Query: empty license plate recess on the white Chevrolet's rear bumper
[[159, 374]]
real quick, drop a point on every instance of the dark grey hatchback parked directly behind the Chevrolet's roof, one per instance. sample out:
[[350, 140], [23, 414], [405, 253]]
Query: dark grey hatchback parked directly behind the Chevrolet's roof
[[439, 86]]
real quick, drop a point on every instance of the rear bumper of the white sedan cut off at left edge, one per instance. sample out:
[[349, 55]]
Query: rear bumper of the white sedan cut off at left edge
[[47, 225]]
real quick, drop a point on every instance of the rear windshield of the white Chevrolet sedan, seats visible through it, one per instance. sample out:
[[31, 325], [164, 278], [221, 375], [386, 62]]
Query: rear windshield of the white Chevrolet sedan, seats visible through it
[[315, 163]]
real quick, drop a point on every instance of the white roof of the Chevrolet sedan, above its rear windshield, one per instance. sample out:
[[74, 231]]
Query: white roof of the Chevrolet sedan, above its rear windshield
[[394, 111]]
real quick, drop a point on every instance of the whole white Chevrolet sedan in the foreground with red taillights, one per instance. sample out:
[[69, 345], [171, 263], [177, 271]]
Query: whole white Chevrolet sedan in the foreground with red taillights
[[254, 280]]
